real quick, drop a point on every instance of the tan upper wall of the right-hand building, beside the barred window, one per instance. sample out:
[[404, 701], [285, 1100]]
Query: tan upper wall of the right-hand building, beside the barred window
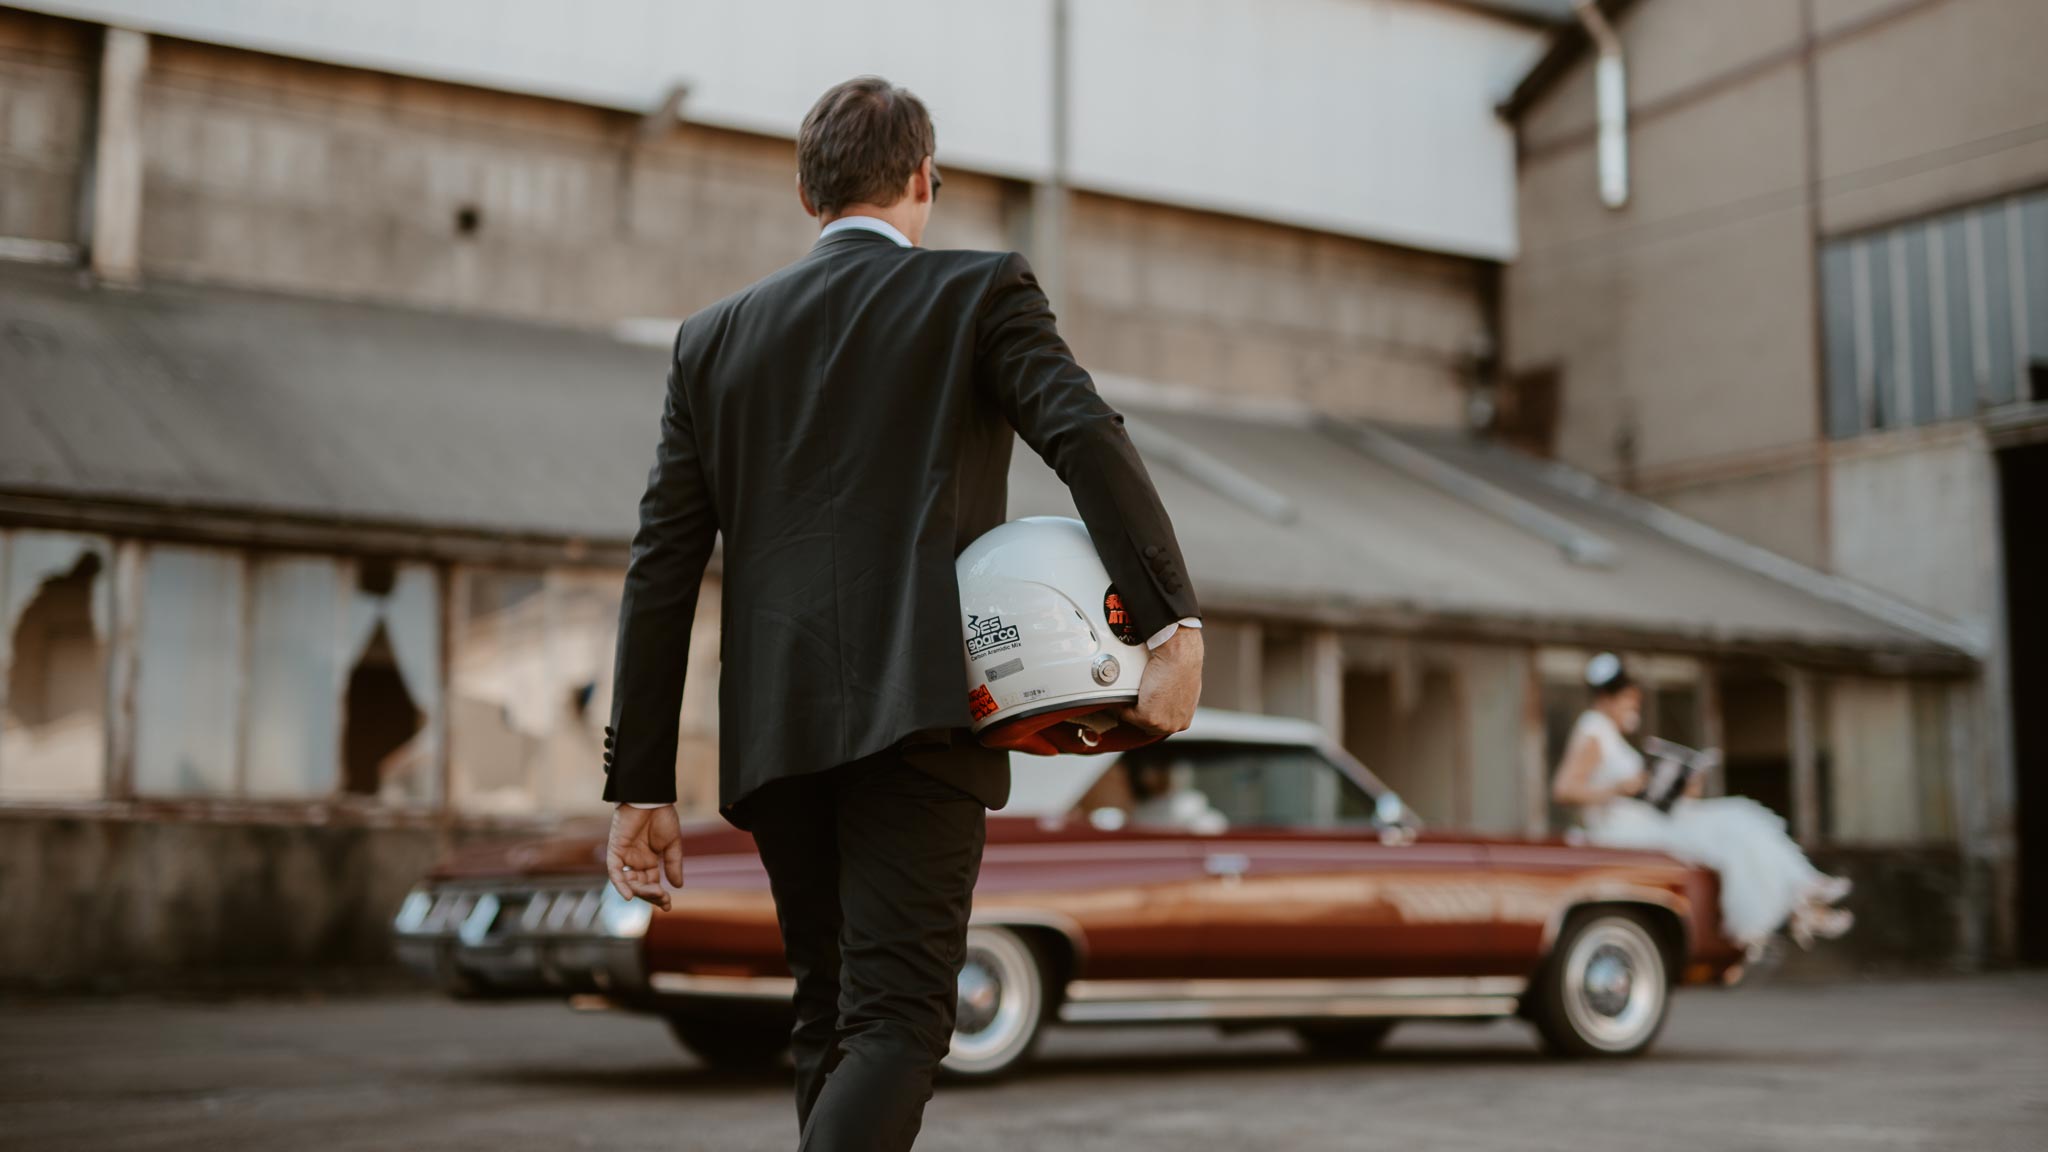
[[1684, 323]]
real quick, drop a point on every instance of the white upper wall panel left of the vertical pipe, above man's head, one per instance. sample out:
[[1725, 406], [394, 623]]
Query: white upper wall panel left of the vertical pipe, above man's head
[[757, 67]]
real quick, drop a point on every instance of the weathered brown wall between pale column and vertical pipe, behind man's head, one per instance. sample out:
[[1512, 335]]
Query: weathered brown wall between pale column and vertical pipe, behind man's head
[[302, 177]]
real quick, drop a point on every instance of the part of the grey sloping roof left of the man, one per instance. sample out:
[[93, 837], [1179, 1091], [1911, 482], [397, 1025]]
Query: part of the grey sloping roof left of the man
[[327, 421]]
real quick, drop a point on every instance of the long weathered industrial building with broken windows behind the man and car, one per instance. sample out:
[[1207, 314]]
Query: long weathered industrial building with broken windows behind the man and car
[[331, 349]]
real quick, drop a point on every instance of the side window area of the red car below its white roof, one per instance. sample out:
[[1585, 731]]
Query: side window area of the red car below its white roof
[[1215, 788]]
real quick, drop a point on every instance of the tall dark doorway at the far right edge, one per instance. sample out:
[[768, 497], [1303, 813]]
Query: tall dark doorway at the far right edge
[[2024, 501]]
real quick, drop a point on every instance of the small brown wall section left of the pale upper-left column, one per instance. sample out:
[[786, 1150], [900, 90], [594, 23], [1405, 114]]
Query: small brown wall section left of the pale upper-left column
[[46, 106]]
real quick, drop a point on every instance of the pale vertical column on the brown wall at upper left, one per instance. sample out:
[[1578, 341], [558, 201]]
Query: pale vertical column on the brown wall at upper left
[[118, 159]]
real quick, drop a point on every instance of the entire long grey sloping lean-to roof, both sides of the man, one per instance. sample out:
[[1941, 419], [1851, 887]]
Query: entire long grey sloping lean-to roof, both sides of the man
[[253, 417]]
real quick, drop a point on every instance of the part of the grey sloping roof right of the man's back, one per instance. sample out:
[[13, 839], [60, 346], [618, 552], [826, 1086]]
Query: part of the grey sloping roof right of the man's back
[[1441, 534]]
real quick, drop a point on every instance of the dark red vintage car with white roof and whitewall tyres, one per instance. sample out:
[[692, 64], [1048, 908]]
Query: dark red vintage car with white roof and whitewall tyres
[[1246, 874]]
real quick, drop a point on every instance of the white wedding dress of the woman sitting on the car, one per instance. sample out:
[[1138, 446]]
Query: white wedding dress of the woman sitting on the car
[[1764, 876]]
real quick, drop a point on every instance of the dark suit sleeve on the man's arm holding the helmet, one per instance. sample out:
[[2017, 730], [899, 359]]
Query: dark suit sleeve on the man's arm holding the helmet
[[1052, 403]]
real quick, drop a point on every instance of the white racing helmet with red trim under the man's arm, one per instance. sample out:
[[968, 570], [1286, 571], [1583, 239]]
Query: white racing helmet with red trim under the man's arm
[[1052, 651]]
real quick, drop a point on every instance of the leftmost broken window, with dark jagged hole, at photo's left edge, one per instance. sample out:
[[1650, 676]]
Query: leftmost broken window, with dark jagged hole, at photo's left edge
[[56, 595]]
